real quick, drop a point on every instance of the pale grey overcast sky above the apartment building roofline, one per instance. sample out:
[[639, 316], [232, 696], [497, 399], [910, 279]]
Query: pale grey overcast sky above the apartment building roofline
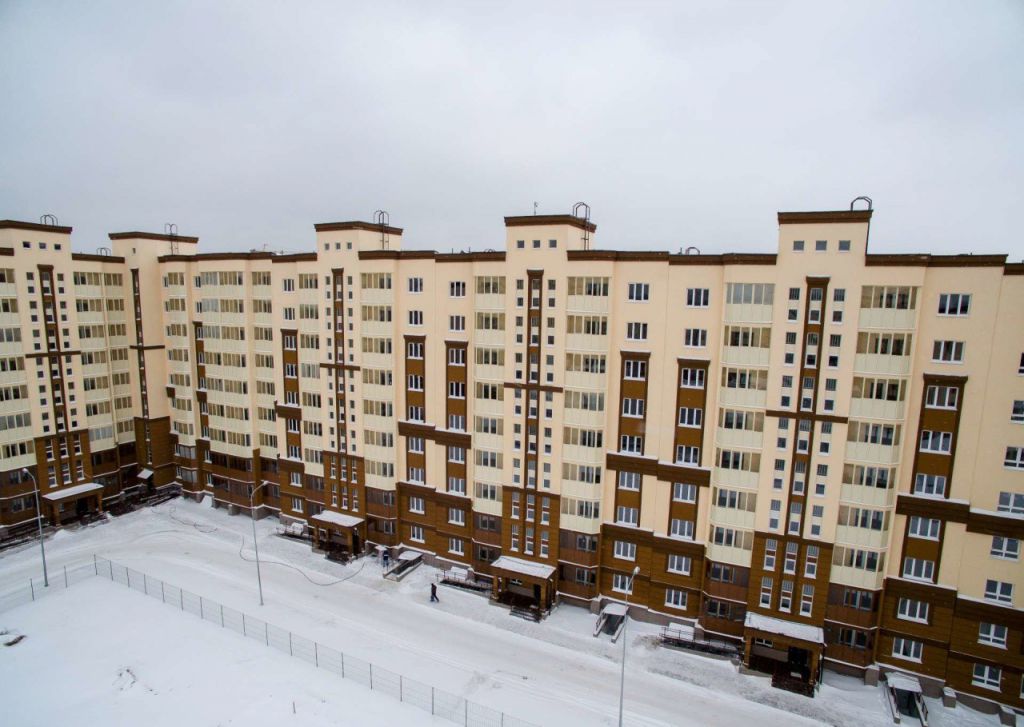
[[681, 123]]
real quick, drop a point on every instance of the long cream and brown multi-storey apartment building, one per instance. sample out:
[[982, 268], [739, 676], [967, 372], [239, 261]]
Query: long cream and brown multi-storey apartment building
[[818, 453]]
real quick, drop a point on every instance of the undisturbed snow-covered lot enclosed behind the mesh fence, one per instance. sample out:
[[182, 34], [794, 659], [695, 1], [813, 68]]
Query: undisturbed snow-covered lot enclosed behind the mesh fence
[[174, 670]]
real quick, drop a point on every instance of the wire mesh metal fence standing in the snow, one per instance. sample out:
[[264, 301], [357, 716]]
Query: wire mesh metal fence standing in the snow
[[437, 702]]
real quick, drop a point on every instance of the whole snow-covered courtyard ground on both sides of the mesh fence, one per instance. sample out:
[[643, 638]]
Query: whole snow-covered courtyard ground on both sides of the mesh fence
[[101, 654]]
